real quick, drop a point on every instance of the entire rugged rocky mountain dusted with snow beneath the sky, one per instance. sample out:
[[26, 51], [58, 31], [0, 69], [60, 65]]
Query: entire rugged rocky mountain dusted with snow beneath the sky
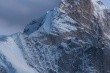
[[71, 38]]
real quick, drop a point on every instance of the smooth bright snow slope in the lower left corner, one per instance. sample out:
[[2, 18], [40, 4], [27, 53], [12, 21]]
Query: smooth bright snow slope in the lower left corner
[[14, 55]]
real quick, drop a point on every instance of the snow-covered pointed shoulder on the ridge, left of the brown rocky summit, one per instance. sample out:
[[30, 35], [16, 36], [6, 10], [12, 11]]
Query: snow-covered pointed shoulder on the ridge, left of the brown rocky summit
[[56, 22]]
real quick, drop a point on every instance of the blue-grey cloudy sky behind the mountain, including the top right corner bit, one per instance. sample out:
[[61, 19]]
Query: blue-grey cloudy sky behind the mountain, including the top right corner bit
[[15, 14]]
